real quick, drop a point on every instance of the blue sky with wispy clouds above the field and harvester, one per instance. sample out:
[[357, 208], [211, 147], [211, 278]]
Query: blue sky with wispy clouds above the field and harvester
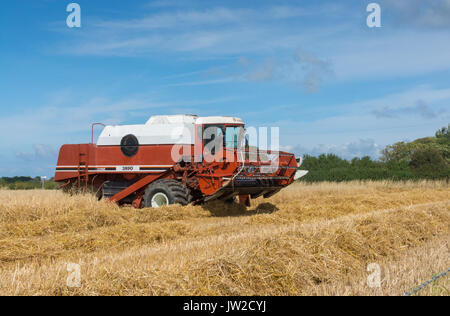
[[313, 68]]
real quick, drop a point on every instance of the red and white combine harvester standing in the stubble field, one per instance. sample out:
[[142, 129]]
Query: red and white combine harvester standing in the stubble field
[[175, 159]]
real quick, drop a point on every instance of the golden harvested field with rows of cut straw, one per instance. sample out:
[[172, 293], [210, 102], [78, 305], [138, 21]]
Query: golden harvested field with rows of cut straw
[[307, 240]]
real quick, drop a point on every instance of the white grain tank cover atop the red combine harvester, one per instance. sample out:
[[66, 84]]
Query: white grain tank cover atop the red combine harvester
[[159, 130]]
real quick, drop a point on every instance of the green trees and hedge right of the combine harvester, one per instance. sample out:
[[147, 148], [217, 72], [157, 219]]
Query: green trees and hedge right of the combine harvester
[[425, 158]]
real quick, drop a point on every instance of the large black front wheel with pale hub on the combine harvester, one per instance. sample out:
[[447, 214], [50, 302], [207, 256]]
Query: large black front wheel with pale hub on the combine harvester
[[165, 192]]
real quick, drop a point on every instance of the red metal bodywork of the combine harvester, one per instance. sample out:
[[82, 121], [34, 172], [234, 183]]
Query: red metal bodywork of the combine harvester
[[89, 165]]
